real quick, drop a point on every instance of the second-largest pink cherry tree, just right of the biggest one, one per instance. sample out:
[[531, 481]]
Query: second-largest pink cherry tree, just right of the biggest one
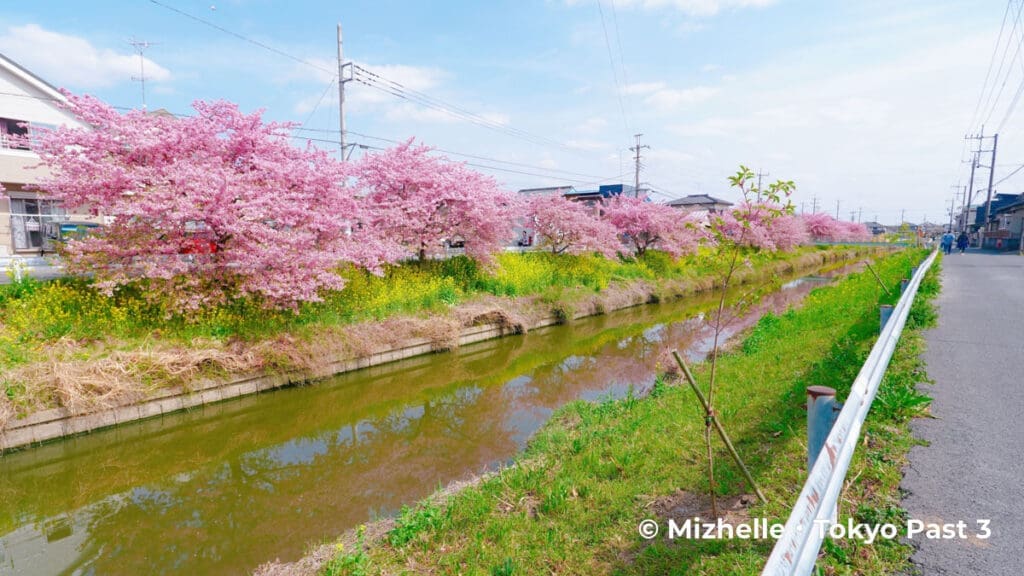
[[422, 201]]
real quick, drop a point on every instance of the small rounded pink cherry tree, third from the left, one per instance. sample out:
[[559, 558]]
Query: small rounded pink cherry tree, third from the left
[[567, 227]]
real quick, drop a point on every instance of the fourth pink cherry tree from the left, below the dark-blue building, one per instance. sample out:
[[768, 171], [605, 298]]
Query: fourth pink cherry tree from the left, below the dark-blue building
[[645, 226]]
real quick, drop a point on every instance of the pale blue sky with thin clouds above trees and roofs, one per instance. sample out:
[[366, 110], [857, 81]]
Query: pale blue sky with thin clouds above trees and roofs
[[865, 103]]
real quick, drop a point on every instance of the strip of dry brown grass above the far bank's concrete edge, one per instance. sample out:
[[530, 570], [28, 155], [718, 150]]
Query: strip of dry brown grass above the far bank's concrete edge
[[89, 378]]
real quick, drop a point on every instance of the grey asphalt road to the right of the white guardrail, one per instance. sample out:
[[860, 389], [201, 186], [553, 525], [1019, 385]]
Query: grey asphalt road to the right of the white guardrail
[[973, 468]]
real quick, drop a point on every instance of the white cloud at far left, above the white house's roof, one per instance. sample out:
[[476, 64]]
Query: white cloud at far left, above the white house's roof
[[72, 61]]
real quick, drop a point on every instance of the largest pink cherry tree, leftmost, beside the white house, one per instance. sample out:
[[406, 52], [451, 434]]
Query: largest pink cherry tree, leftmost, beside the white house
[[205, 209]]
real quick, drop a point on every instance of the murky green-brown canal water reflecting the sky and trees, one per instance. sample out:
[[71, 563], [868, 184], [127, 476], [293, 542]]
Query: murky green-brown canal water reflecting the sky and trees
[[223, 489]]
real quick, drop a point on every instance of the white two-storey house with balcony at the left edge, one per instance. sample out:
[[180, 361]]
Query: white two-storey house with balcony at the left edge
[[26, 102]]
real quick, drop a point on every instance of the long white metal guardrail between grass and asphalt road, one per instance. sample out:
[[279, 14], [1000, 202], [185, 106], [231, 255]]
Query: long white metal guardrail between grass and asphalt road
[[797, 550]]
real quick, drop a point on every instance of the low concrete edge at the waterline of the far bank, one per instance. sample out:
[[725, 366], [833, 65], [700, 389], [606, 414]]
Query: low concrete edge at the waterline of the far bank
[[60, 423]]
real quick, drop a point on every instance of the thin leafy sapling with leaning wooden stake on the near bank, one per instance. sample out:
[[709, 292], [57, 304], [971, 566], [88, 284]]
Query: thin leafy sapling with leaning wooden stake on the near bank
[[761, 222]]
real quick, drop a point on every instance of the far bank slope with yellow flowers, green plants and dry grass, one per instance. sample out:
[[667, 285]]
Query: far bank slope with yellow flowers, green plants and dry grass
[[62, 344]]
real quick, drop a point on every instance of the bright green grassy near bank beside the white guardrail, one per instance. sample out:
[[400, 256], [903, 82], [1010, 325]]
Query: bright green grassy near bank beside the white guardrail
[[573, 505]]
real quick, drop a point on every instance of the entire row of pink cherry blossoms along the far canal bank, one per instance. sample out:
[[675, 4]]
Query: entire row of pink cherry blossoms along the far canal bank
[[221, 205]]
